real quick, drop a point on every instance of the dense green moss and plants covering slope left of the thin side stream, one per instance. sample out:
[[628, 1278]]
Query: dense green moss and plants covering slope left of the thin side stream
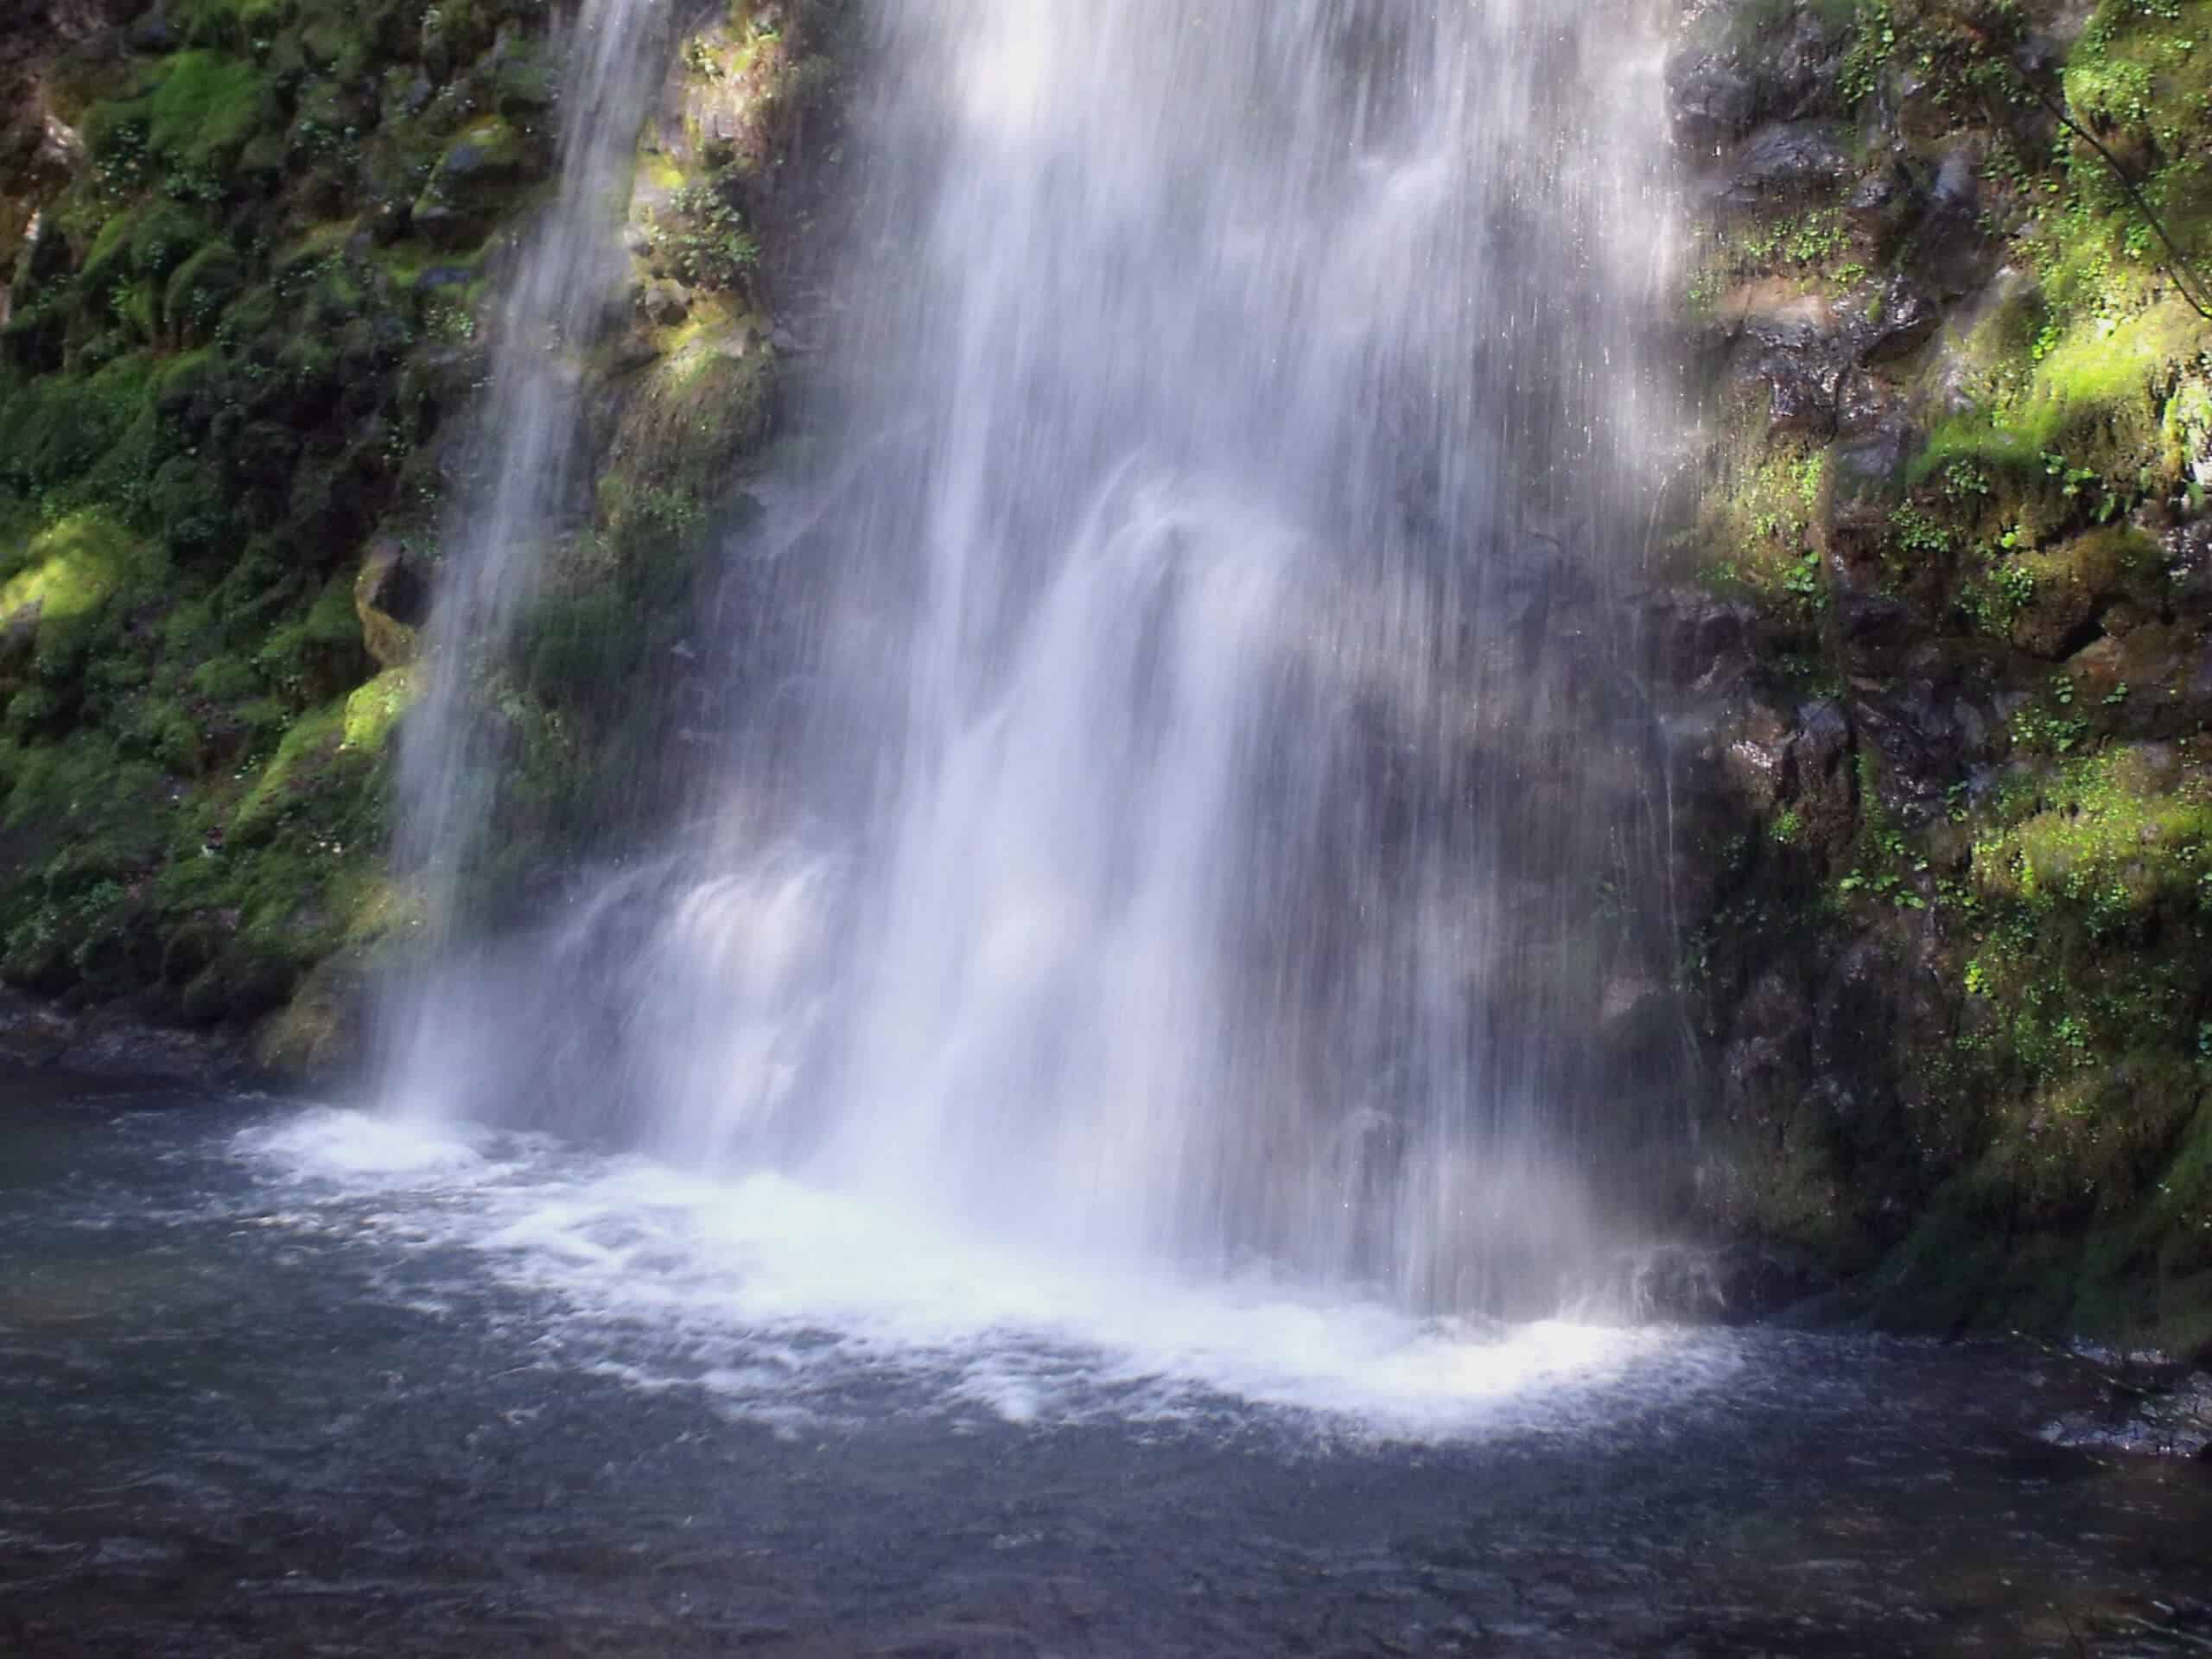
[[205, 408]]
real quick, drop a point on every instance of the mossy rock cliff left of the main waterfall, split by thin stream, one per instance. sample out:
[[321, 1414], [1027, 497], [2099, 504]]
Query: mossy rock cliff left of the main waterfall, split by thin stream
[[253, 253]]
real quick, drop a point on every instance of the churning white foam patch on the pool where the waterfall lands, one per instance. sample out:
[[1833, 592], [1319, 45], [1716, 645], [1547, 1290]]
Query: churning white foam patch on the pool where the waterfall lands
[[795, 1304]]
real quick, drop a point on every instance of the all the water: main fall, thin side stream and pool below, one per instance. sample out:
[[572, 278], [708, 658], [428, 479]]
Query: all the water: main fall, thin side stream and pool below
[[1107, 1118]]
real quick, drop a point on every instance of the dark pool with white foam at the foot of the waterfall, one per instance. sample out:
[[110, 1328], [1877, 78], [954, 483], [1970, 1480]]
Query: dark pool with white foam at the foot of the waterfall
[[291, 1381]]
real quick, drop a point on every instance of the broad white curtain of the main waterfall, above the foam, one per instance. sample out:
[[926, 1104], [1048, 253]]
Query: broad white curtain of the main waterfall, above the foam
[[1202, 808]]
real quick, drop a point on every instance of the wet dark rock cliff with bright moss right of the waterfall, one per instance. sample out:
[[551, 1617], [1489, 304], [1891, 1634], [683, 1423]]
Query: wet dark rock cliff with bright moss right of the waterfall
[[1939, 649]]
